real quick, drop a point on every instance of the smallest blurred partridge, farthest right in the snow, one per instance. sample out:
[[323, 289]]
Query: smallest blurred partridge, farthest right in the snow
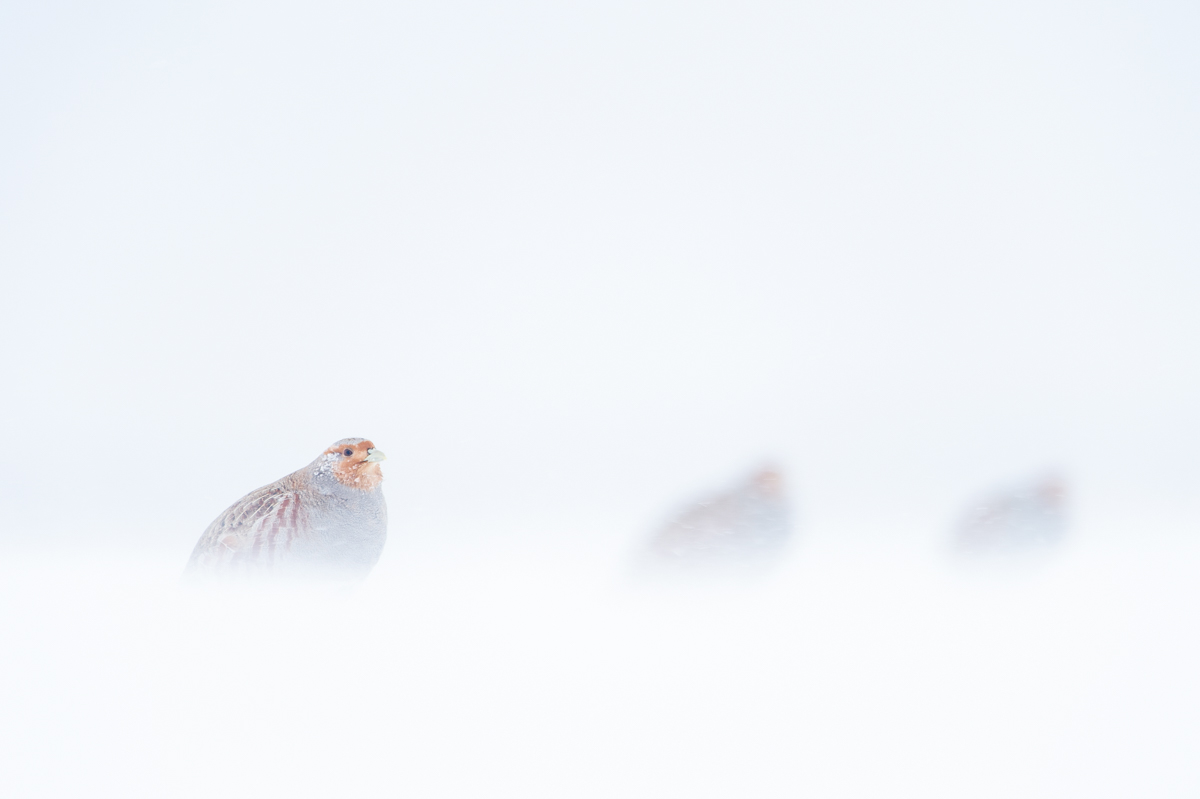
[[1022, 518]]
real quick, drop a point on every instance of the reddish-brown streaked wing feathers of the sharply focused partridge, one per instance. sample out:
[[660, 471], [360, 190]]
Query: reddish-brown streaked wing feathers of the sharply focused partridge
[[256, 532]]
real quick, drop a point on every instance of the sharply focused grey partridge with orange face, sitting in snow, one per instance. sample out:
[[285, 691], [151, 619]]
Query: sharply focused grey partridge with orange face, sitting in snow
[[327, 520]]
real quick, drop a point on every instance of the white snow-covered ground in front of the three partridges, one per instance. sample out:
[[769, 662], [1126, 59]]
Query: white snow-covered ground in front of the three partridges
[[1071, 675]]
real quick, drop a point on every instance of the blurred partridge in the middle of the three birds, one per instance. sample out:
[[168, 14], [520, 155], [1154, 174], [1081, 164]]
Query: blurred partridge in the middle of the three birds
[[748, 522]]
